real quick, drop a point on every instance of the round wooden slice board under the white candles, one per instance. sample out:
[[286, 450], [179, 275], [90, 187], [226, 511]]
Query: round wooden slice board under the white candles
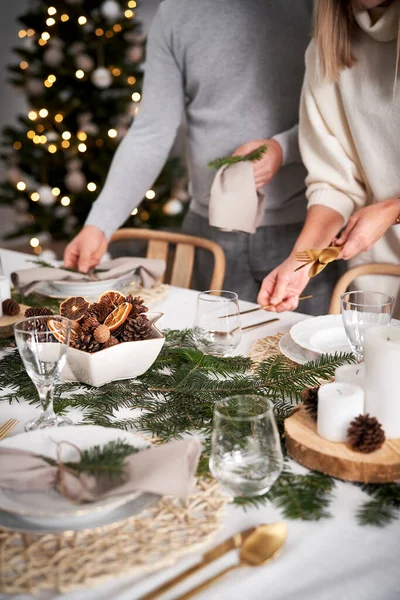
[[338, 459]]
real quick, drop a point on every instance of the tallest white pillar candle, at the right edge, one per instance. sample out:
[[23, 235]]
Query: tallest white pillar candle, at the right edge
[[382, 364]]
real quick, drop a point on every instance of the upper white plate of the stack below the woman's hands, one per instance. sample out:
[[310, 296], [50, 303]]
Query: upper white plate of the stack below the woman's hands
[[324, 335]]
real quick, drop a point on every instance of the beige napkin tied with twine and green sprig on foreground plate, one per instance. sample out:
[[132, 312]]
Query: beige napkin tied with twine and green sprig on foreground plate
[[165, 470]]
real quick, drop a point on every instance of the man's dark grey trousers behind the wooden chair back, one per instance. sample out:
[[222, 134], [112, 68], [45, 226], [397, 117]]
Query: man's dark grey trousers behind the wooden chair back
[[249, 258]]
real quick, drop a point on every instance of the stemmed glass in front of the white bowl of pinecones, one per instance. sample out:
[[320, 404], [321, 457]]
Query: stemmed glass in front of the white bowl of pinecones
[[44, 355]]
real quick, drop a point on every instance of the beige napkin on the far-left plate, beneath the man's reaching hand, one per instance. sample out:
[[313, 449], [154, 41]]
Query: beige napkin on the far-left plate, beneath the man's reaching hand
[[149, 269]]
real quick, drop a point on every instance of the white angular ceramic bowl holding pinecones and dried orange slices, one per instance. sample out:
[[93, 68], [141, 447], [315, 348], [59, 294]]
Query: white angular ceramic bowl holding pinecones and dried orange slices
[[123, 361]]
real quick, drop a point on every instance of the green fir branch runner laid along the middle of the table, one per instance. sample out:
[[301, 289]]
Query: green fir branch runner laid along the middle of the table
[[176, 396]]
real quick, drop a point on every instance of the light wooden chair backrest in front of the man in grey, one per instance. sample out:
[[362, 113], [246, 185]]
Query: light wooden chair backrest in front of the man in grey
[[159, 246]]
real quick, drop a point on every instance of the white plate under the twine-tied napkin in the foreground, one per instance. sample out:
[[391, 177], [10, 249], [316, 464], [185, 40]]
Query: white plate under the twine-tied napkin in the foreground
[[48, 507]]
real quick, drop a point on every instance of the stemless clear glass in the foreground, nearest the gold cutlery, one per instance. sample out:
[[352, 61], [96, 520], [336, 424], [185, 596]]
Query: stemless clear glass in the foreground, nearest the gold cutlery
[[246, 455]]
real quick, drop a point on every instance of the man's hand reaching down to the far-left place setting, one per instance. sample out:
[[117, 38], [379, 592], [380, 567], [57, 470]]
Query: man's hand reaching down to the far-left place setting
[[86, 249]]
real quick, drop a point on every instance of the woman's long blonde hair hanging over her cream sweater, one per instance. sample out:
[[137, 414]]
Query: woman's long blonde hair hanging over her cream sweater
[[333, 28]]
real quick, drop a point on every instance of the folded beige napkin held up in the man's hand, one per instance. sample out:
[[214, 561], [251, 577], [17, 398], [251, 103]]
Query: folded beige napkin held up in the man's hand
[[235, 204]]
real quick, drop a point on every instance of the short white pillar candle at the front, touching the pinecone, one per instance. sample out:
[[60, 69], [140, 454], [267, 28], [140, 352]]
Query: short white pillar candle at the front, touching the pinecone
[[338, 405]]
